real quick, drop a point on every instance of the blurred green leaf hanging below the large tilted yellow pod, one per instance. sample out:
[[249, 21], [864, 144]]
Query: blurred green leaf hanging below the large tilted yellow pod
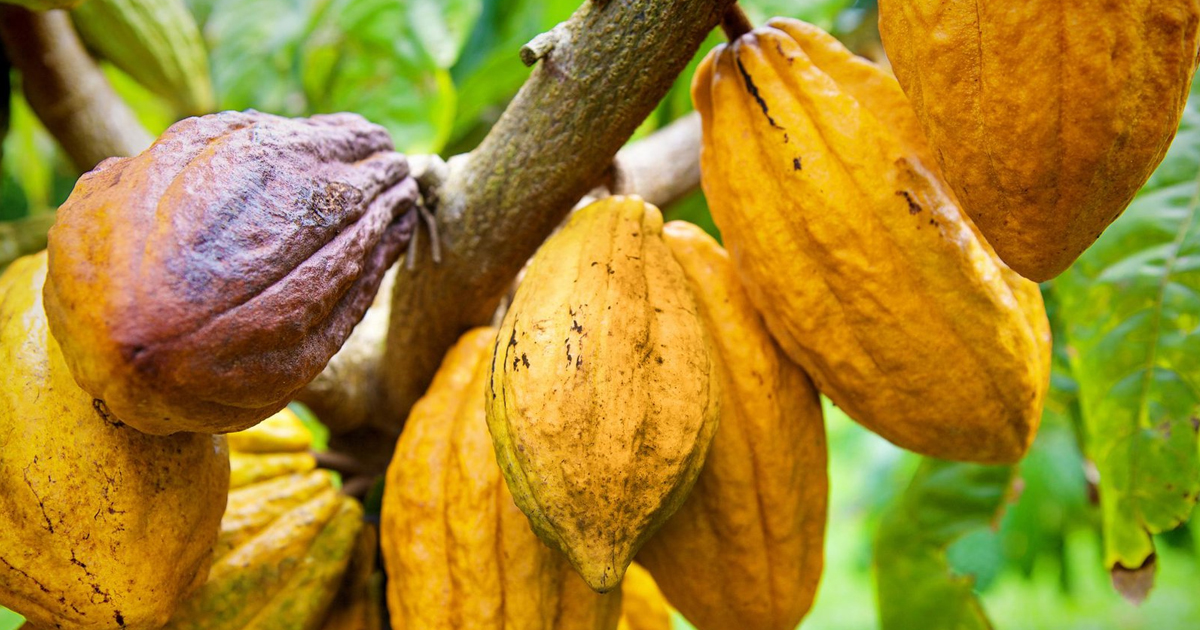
[[945, 502]]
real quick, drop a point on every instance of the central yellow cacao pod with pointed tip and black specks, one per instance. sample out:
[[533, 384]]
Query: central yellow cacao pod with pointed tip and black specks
[[603, 397]]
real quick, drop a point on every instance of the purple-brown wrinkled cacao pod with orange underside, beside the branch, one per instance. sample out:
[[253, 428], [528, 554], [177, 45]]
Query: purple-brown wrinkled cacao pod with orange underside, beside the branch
[[201, 284]]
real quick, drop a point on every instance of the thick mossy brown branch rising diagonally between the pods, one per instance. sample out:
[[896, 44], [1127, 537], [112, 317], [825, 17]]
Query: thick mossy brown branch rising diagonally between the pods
[[609, 67]]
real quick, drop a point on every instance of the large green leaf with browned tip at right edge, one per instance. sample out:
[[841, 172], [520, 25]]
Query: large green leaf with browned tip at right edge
[[1131, 309]]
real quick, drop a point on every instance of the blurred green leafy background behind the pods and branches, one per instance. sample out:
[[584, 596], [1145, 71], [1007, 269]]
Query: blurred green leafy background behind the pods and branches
[[913, 543]]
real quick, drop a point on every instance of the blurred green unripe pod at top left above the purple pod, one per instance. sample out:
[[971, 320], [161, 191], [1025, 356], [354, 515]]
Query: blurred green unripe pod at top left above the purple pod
[[154, 41]]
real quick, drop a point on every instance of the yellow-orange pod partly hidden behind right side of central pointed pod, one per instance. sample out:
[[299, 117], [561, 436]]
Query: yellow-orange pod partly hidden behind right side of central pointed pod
[[746, 549]]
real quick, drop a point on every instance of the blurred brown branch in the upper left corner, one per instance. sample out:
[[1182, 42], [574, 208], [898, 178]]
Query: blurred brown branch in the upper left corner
[[67, 89]]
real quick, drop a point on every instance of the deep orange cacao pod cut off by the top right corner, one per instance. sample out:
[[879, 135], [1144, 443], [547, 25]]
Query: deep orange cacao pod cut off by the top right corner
[[1047, 117]]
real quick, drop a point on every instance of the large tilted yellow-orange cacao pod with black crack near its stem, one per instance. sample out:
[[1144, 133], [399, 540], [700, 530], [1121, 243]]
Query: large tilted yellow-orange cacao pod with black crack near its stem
[[856, 255]]
